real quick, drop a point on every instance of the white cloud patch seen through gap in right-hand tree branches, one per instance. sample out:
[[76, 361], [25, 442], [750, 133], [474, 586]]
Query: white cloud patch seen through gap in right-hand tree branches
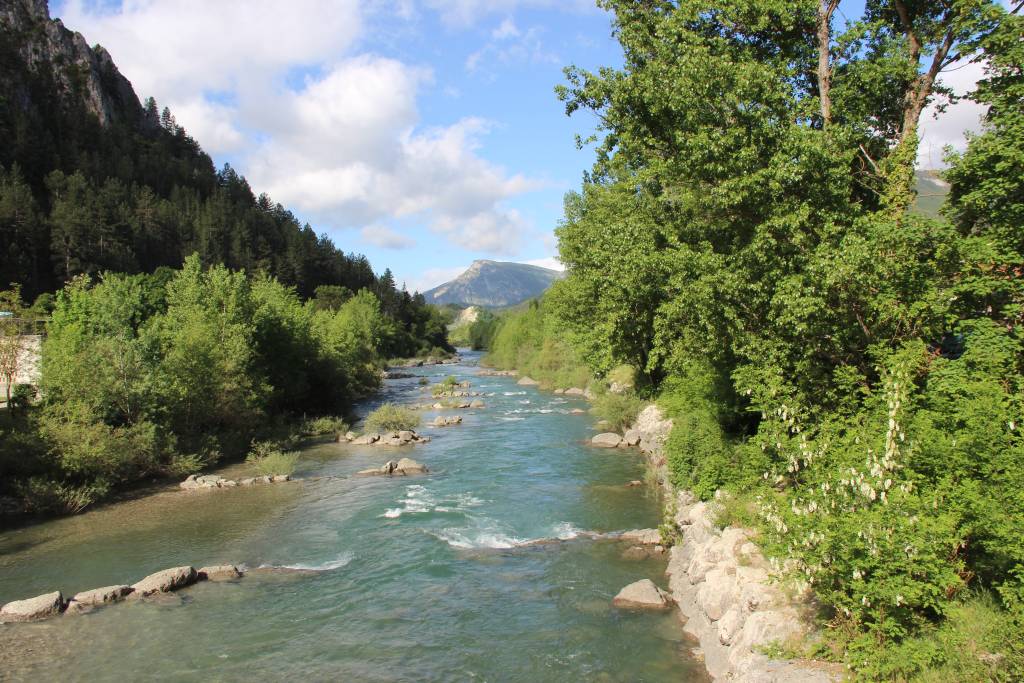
[[951, 126]]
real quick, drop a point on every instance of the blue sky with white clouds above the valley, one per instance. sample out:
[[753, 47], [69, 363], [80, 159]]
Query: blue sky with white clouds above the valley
[[423, 134]]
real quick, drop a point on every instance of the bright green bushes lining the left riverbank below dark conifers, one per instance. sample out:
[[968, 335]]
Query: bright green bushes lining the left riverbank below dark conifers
[[163, 375]]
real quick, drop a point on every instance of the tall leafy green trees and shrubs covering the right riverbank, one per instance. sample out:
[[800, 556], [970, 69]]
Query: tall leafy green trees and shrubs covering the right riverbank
[[849, 369]]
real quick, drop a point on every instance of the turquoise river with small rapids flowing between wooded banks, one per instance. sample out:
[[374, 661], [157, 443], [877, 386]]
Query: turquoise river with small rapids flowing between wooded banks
[[411, 579]]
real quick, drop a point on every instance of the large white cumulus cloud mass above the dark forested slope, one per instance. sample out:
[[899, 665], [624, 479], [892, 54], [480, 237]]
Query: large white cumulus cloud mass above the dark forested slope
[[344, 146]]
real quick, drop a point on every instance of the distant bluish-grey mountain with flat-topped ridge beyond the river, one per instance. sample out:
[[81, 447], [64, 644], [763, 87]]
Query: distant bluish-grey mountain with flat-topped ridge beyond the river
[[495, 284]]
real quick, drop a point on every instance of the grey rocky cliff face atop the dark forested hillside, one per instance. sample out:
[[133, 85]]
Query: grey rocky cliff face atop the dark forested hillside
[[82, 75]]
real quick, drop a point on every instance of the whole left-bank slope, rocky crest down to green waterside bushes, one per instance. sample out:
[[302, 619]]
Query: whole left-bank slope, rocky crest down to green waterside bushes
[[190, 319]]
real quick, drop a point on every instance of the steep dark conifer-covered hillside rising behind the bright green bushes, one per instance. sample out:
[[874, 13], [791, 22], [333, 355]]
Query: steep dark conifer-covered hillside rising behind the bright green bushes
[[93, 181]]
